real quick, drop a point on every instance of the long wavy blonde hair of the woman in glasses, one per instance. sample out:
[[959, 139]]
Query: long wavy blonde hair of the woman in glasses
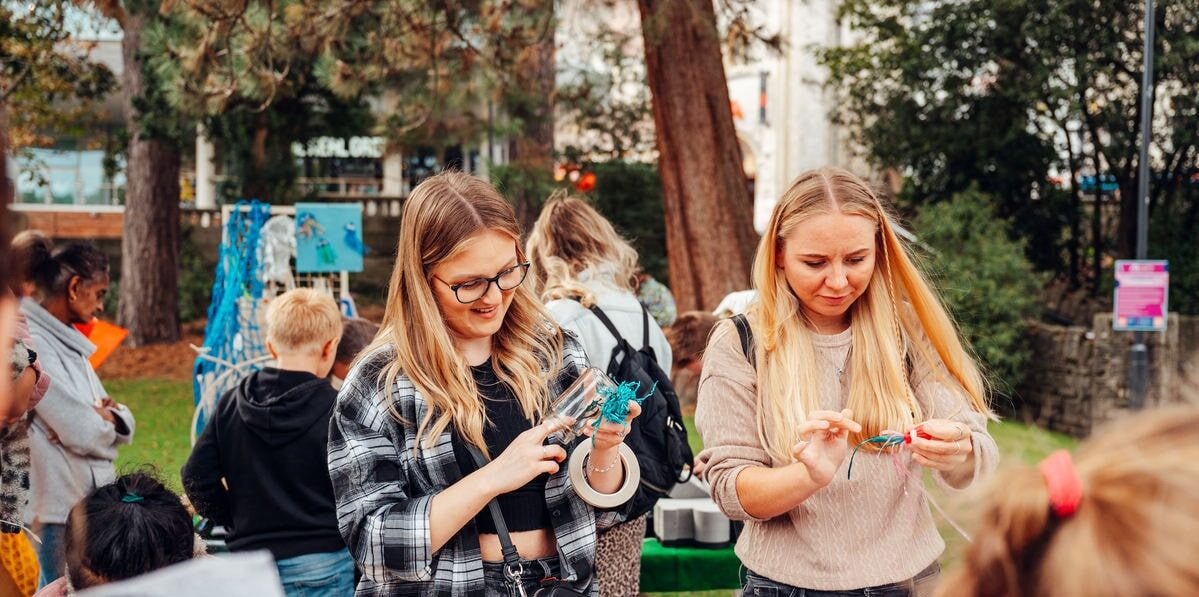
[[439, 216]]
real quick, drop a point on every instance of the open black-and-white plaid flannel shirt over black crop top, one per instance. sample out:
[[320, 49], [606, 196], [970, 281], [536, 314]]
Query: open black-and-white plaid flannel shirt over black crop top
[[384, 493]]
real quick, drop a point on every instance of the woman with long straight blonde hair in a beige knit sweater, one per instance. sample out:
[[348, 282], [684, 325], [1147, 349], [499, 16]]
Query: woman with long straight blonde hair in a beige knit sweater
[[847, 341]]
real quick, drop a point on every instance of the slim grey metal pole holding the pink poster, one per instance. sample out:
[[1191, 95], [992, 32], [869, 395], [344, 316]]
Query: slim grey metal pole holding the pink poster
[[1138, 358]]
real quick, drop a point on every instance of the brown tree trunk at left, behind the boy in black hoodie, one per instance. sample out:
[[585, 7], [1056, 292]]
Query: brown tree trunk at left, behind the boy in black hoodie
[[149, 293]]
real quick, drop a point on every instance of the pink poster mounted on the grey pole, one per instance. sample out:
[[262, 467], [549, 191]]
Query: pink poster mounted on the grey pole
[[1142, 300]]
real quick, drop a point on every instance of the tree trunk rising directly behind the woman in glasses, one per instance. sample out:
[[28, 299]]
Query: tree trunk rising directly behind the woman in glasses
[[533, 149]]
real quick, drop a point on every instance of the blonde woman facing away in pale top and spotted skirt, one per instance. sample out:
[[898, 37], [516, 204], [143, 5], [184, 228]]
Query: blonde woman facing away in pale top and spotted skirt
[[581, 263]]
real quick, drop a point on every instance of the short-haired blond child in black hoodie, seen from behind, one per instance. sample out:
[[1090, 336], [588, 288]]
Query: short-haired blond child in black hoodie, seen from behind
[[260, 468]]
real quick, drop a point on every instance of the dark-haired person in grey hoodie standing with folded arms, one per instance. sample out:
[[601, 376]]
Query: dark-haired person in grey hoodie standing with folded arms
[[76, 427]]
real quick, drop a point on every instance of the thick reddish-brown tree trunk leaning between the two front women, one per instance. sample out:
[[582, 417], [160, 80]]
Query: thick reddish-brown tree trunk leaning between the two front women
[[709, 212]]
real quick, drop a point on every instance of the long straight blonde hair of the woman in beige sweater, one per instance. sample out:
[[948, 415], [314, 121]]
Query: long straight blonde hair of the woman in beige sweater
[[879, 390]]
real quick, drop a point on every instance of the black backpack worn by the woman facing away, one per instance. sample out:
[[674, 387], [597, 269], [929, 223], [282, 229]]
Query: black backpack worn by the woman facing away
[[658, 437]]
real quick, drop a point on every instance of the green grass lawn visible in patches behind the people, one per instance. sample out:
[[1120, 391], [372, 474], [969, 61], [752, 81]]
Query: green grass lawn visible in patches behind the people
[[164, 412]]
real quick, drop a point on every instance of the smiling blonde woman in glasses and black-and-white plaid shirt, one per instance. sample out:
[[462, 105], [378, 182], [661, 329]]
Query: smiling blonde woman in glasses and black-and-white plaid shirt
[[466, 358]]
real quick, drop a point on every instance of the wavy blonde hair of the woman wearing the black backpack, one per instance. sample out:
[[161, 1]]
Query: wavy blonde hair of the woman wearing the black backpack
[[569, 238]]
